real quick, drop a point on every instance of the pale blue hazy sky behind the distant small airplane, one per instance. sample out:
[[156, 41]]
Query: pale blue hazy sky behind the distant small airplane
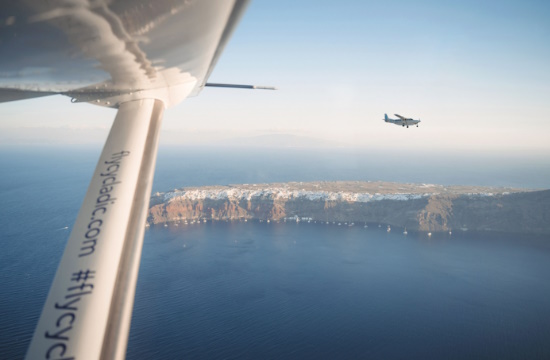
[[477, 73]]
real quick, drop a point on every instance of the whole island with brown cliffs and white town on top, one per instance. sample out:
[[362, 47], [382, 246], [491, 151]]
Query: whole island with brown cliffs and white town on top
[[416, 207]]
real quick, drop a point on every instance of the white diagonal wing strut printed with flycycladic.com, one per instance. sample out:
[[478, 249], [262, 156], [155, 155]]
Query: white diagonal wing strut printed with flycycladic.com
[[88, 310]]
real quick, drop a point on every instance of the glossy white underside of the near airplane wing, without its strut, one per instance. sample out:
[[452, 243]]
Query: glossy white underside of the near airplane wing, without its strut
[[93, 50]]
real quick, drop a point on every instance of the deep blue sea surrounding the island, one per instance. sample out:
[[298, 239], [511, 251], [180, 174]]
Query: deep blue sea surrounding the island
[[234, 290]]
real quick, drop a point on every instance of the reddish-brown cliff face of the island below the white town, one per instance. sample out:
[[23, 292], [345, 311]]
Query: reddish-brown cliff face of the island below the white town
[[527, 212]]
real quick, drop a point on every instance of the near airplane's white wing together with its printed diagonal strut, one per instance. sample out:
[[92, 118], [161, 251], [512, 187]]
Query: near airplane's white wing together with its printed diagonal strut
[[136, 56]]
